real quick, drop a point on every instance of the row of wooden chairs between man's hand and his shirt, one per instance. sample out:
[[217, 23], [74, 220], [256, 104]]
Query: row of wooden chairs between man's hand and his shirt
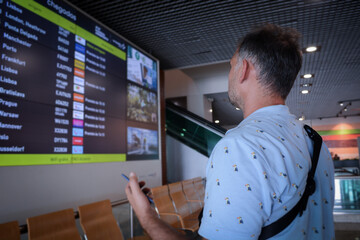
[[180, 203]]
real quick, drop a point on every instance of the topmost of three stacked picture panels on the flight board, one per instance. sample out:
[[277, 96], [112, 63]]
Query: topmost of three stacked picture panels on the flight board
[[141, 69]]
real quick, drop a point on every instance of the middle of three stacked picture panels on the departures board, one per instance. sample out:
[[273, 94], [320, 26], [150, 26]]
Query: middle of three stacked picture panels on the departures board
[[141, 104]]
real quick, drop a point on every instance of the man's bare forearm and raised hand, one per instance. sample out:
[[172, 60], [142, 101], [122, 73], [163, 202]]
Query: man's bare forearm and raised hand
[[155, 227]]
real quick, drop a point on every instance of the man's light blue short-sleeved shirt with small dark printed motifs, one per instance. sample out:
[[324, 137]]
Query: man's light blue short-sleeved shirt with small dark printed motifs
[[257, 173]]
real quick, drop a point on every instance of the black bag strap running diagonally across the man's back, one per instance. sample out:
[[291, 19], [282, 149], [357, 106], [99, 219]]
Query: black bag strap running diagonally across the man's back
[[278, 226]]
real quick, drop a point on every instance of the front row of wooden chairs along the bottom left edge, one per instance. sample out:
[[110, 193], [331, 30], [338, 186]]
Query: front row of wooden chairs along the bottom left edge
[[96, 220]]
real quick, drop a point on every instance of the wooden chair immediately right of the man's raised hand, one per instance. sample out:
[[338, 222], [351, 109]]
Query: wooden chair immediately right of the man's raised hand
[[165, 208]]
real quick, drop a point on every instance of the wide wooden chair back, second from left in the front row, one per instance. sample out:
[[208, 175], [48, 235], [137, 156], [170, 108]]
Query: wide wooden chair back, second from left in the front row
[[55, 226]]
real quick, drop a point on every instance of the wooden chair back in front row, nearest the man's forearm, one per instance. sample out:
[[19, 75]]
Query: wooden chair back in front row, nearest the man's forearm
[[98, 221]]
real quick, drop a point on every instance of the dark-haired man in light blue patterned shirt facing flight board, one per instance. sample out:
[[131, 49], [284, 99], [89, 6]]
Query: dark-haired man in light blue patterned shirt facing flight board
[[270, 150]]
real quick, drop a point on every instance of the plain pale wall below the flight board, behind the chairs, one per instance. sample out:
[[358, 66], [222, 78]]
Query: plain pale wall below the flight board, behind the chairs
[[33, 190]]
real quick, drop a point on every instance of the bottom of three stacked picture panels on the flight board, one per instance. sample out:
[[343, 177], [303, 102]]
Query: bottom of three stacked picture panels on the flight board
[[142, 143]]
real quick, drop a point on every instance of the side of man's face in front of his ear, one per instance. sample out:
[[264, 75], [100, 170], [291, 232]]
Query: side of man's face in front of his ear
[[234, 96]]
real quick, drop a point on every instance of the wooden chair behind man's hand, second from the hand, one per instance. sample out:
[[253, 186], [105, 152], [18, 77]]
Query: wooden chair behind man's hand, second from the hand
[[188, 210]]
